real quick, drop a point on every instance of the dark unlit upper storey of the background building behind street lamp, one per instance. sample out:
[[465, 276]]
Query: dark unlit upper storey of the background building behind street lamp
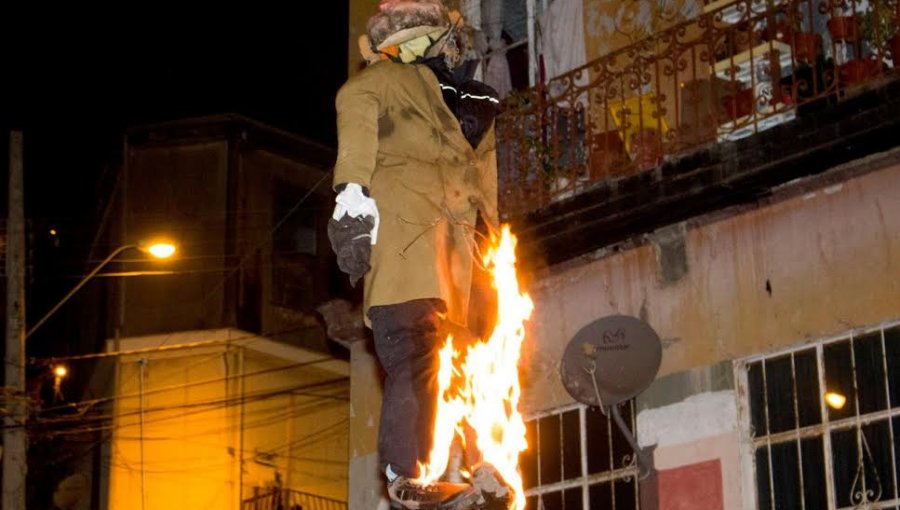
[[228, 191]]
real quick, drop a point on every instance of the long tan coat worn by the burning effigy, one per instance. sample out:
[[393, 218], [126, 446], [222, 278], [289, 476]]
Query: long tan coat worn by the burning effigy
[[397, 136]]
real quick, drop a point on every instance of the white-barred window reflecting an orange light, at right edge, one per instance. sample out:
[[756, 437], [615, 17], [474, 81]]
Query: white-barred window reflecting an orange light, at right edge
[[811, 454]]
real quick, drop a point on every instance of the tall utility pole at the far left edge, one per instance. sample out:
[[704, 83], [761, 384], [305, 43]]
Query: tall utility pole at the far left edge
[[14, 457]]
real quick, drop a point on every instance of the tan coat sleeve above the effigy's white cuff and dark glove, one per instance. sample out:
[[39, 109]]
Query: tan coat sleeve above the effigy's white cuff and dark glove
[[358, 107]]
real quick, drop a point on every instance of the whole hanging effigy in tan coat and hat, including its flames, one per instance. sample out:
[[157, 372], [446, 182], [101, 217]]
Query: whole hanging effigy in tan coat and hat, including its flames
[[416, 170]]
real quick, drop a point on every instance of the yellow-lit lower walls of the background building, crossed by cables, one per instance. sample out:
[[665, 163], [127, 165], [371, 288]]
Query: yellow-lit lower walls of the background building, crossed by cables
[[222, 416]]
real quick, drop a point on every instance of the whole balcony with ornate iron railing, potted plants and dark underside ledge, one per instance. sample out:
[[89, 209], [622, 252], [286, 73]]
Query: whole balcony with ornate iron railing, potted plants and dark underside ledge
[[710, 111]]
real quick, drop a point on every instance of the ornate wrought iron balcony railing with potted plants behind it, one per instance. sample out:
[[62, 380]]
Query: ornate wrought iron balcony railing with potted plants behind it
[[736, 69]]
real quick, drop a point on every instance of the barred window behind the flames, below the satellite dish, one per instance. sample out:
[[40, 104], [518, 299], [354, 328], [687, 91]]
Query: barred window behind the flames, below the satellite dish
[[579, 460]]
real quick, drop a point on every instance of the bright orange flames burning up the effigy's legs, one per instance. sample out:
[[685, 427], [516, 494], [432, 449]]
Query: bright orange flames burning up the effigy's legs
[[480, 386]]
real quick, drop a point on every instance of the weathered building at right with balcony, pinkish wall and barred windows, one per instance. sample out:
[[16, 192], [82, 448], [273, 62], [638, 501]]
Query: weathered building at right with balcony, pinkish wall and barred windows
[[765, 257]]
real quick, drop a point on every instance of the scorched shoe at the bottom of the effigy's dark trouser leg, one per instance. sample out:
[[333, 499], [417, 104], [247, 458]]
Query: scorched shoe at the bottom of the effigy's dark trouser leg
[[411, 495]]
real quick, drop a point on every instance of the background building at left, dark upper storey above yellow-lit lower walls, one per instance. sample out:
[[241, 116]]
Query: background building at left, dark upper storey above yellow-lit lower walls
[[218, 386]]
